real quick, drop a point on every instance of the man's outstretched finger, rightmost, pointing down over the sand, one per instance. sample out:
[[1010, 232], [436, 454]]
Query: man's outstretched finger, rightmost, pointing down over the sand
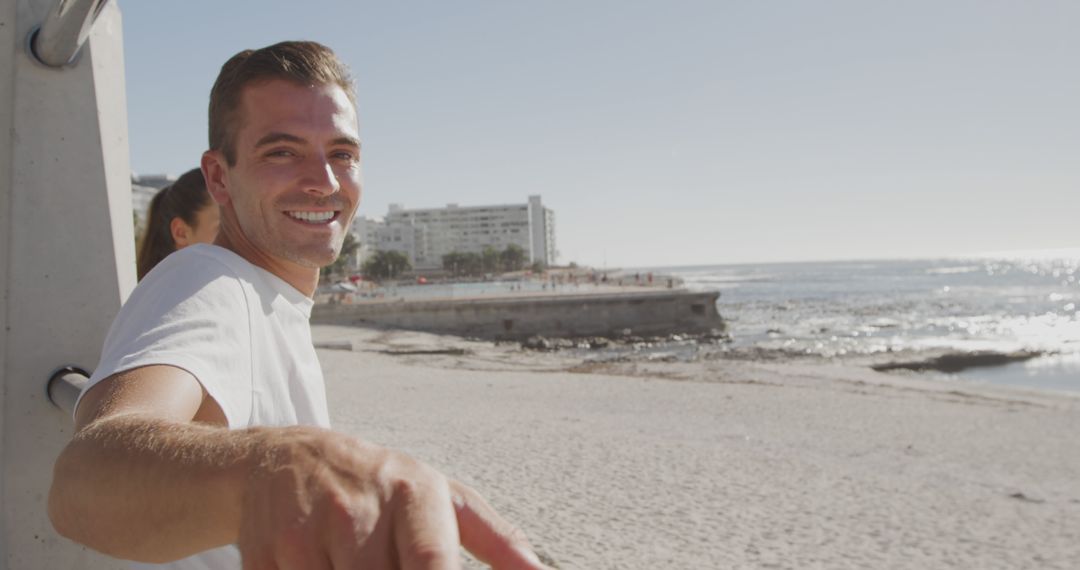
[[489, 537]]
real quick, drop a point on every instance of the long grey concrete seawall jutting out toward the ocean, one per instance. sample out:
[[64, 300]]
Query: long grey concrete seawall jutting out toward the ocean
[[644, 314]]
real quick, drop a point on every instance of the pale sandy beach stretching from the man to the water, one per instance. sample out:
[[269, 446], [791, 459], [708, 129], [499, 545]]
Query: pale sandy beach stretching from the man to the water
[[725, 465]]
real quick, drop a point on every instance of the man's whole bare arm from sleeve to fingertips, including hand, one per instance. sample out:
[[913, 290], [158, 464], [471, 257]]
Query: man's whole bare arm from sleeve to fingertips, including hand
[[154, 476]]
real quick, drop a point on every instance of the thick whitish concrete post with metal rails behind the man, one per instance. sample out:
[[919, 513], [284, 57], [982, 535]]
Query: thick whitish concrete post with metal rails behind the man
[[66, 257]]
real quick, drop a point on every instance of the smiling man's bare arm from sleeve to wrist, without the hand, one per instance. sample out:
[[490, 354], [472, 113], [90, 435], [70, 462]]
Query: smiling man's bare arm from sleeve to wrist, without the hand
[[141, 480]]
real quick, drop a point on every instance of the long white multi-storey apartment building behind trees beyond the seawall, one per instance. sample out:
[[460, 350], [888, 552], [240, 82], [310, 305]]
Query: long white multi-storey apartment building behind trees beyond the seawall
[[427, 235]]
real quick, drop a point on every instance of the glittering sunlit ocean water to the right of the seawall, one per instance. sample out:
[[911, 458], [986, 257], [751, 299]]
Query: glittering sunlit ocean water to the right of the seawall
[[844, 310]]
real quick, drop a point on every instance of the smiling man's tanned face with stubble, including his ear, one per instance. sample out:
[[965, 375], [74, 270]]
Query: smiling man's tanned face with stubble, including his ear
[[296, 183]]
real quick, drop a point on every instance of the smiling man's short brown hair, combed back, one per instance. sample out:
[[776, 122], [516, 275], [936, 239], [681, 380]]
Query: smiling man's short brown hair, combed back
[[301, 62]]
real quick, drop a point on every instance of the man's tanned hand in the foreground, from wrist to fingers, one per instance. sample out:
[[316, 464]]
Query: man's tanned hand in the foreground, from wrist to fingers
[[322, 500]]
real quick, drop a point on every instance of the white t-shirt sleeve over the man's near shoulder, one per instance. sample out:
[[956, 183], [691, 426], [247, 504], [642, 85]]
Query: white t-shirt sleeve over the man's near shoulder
[[192, 317]]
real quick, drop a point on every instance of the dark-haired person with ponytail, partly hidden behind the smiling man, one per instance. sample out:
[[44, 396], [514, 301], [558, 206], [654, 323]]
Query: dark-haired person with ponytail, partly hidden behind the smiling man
[[181, 215]]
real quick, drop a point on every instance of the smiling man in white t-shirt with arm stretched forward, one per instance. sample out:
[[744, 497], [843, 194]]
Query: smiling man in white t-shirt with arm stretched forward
[[202, 438]]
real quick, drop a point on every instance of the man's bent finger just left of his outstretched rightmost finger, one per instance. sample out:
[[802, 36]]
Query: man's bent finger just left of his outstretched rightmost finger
[[426, 532]]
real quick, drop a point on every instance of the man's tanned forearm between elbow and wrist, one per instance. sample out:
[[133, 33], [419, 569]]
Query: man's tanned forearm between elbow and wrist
[[141, 488]]
